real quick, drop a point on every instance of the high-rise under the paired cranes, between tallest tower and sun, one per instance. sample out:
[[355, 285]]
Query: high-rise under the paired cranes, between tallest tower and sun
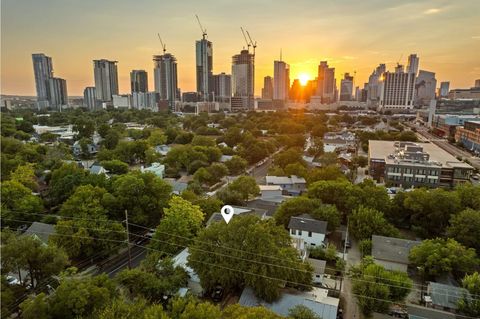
[[243, 75]]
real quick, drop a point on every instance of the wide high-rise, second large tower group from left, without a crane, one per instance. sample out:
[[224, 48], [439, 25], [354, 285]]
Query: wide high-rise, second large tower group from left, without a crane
[[106, 79]]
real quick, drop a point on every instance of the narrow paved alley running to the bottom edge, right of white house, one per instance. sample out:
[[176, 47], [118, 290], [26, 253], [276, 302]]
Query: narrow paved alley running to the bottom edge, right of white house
[[351, 308]]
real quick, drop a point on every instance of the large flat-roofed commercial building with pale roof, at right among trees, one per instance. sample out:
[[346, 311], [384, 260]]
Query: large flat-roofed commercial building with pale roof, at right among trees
[[407, 164]]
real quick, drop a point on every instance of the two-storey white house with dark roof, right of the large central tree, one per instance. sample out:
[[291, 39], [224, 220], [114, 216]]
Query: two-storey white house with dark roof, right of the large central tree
[[307, 231]]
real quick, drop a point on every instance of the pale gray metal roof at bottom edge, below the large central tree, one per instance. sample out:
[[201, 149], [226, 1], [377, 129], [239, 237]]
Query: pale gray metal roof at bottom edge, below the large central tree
[[324, 306]]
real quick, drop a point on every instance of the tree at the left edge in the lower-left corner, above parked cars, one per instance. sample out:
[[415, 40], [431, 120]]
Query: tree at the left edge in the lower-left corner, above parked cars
[[30, 254]]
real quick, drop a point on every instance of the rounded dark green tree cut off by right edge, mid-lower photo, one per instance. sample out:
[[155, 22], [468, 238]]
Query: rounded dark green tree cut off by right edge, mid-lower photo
[[465, 228]]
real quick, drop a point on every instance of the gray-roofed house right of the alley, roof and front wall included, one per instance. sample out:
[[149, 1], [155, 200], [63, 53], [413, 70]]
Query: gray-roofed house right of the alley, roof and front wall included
[[392, 253]]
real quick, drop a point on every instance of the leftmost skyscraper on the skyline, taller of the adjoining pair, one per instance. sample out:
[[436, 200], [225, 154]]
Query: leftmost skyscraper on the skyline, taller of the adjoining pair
[[43, 71]]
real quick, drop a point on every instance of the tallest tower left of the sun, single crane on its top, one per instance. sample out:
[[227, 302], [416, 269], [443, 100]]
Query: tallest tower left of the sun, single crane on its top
[[204, 63]]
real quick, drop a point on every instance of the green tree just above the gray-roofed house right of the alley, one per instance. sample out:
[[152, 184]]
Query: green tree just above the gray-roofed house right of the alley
[[365, 222]]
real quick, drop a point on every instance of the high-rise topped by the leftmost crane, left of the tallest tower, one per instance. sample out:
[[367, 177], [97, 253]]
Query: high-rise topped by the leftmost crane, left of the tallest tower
[[166, 83]]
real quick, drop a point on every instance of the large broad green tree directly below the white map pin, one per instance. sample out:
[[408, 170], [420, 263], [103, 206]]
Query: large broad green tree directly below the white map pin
[[249, 238]]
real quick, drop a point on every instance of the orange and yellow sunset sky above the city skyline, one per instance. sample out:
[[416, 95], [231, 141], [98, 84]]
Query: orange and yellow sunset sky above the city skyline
[[443, 35]]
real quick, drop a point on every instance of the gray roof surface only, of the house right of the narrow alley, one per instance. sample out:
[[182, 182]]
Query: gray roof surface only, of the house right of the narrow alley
[[392, 249]]
